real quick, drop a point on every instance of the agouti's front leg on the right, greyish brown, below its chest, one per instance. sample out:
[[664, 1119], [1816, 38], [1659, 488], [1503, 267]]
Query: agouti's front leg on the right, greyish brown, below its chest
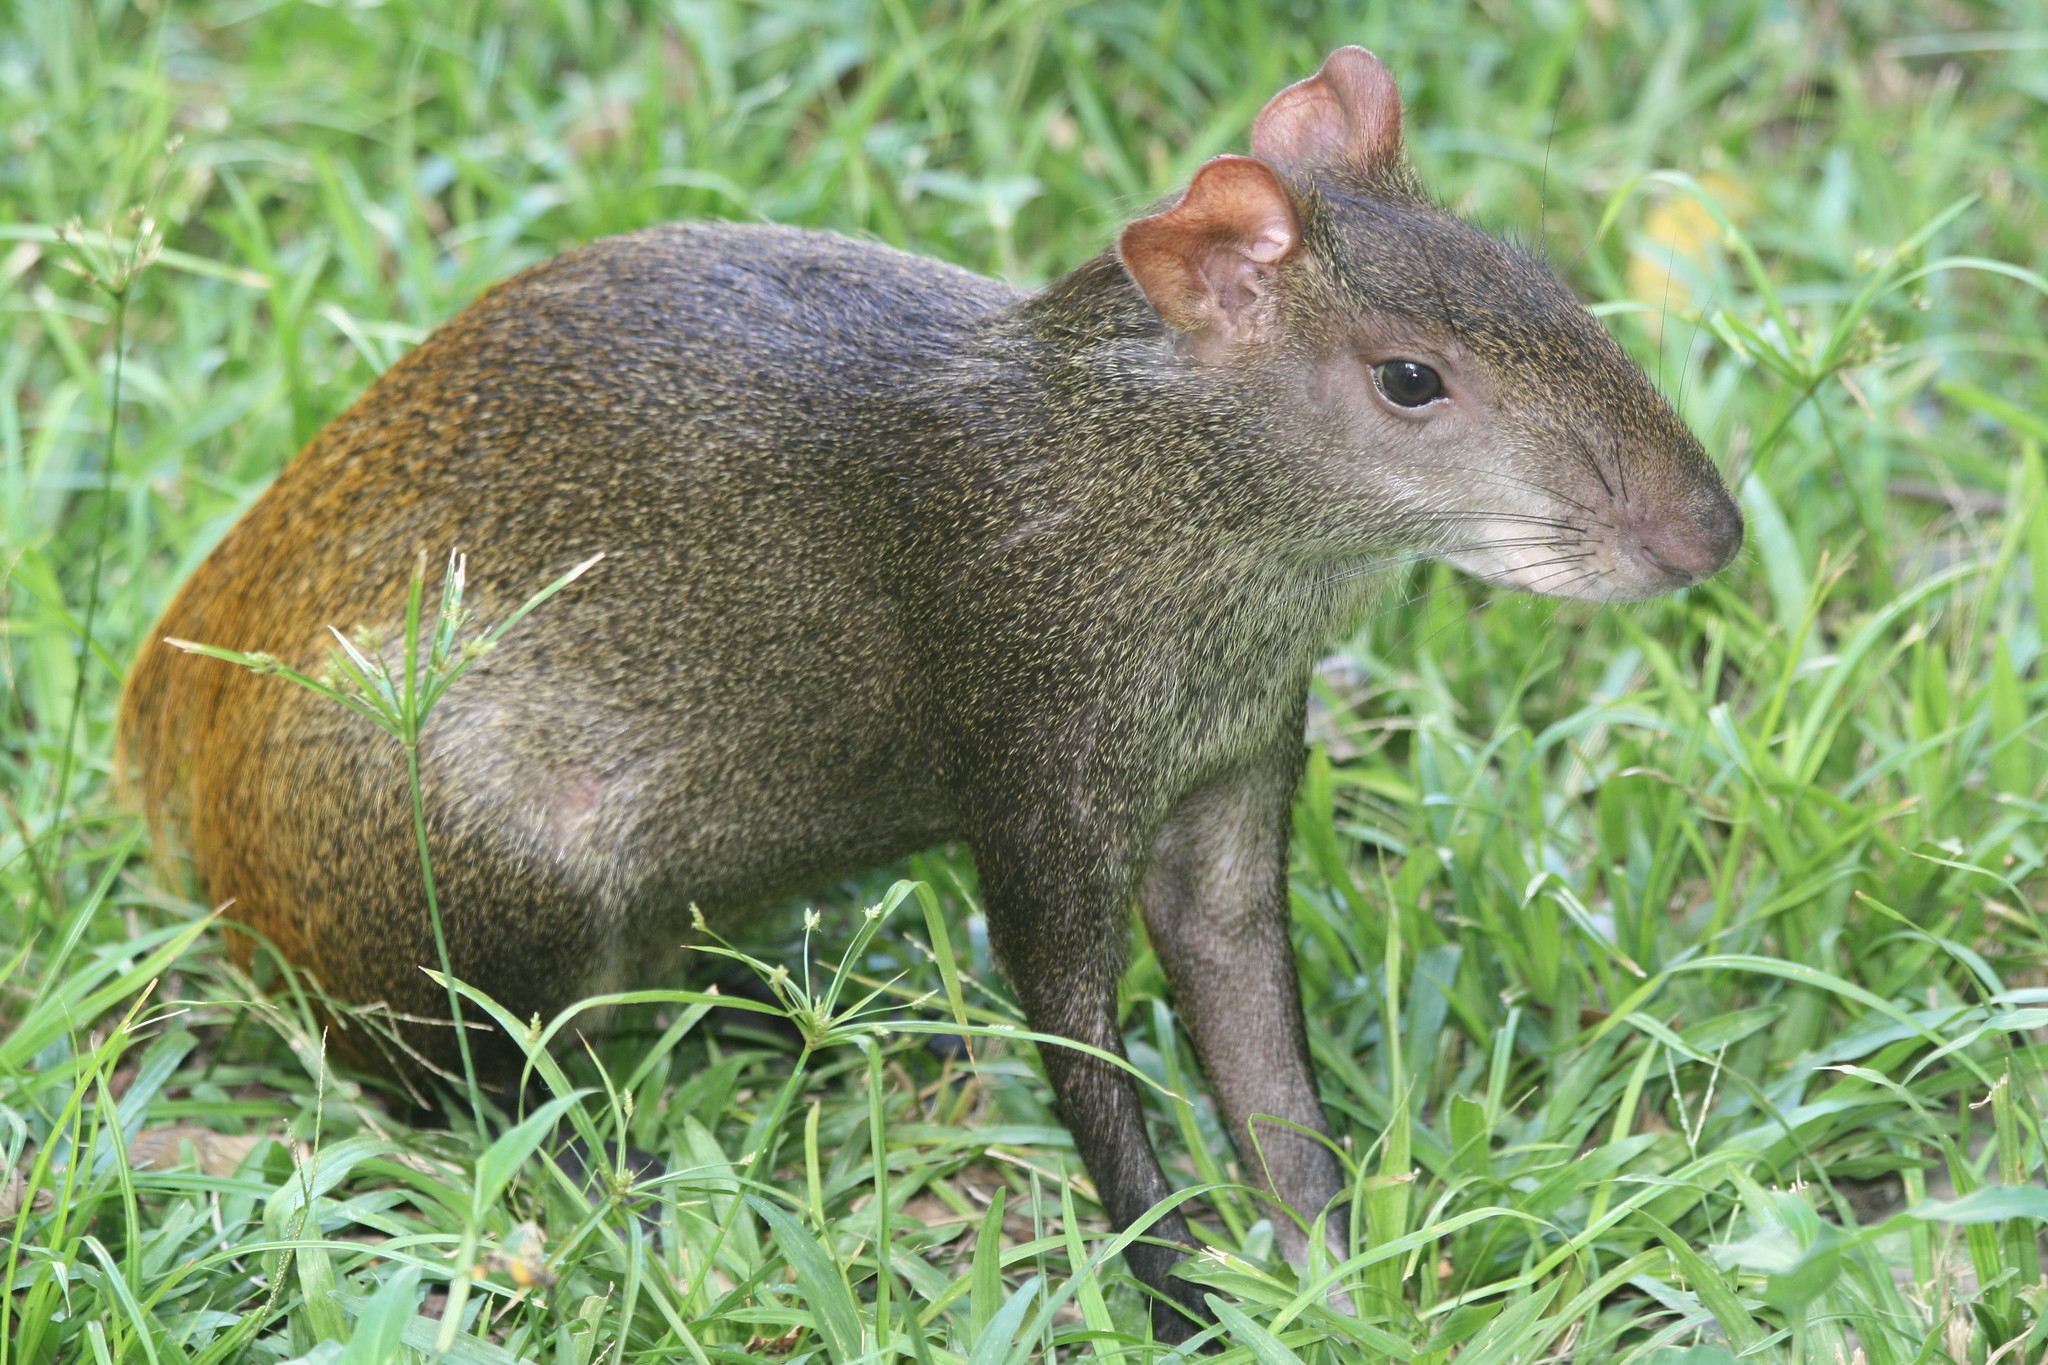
[[1218, 912]]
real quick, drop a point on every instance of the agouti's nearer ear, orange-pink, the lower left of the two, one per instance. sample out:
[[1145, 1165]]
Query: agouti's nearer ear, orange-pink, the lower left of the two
[[1207, 263]]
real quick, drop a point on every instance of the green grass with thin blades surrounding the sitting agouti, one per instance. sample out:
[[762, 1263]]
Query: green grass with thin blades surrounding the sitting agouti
[[1676, 973]]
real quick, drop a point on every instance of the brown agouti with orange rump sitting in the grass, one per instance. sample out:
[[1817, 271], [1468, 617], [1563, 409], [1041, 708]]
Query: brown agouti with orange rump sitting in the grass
[[900, 556]]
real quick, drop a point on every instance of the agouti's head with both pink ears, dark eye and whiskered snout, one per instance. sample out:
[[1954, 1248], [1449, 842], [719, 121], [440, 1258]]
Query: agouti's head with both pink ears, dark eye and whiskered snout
[[1443, 392]]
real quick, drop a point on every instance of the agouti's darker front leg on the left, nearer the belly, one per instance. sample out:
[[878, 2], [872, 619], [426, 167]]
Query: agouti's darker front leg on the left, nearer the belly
[[1058, 924]]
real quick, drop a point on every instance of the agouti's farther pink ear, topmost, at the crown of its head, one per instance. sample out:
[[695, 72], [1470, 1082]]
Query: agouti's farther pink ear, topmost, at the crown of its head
[[1347, 116]]
